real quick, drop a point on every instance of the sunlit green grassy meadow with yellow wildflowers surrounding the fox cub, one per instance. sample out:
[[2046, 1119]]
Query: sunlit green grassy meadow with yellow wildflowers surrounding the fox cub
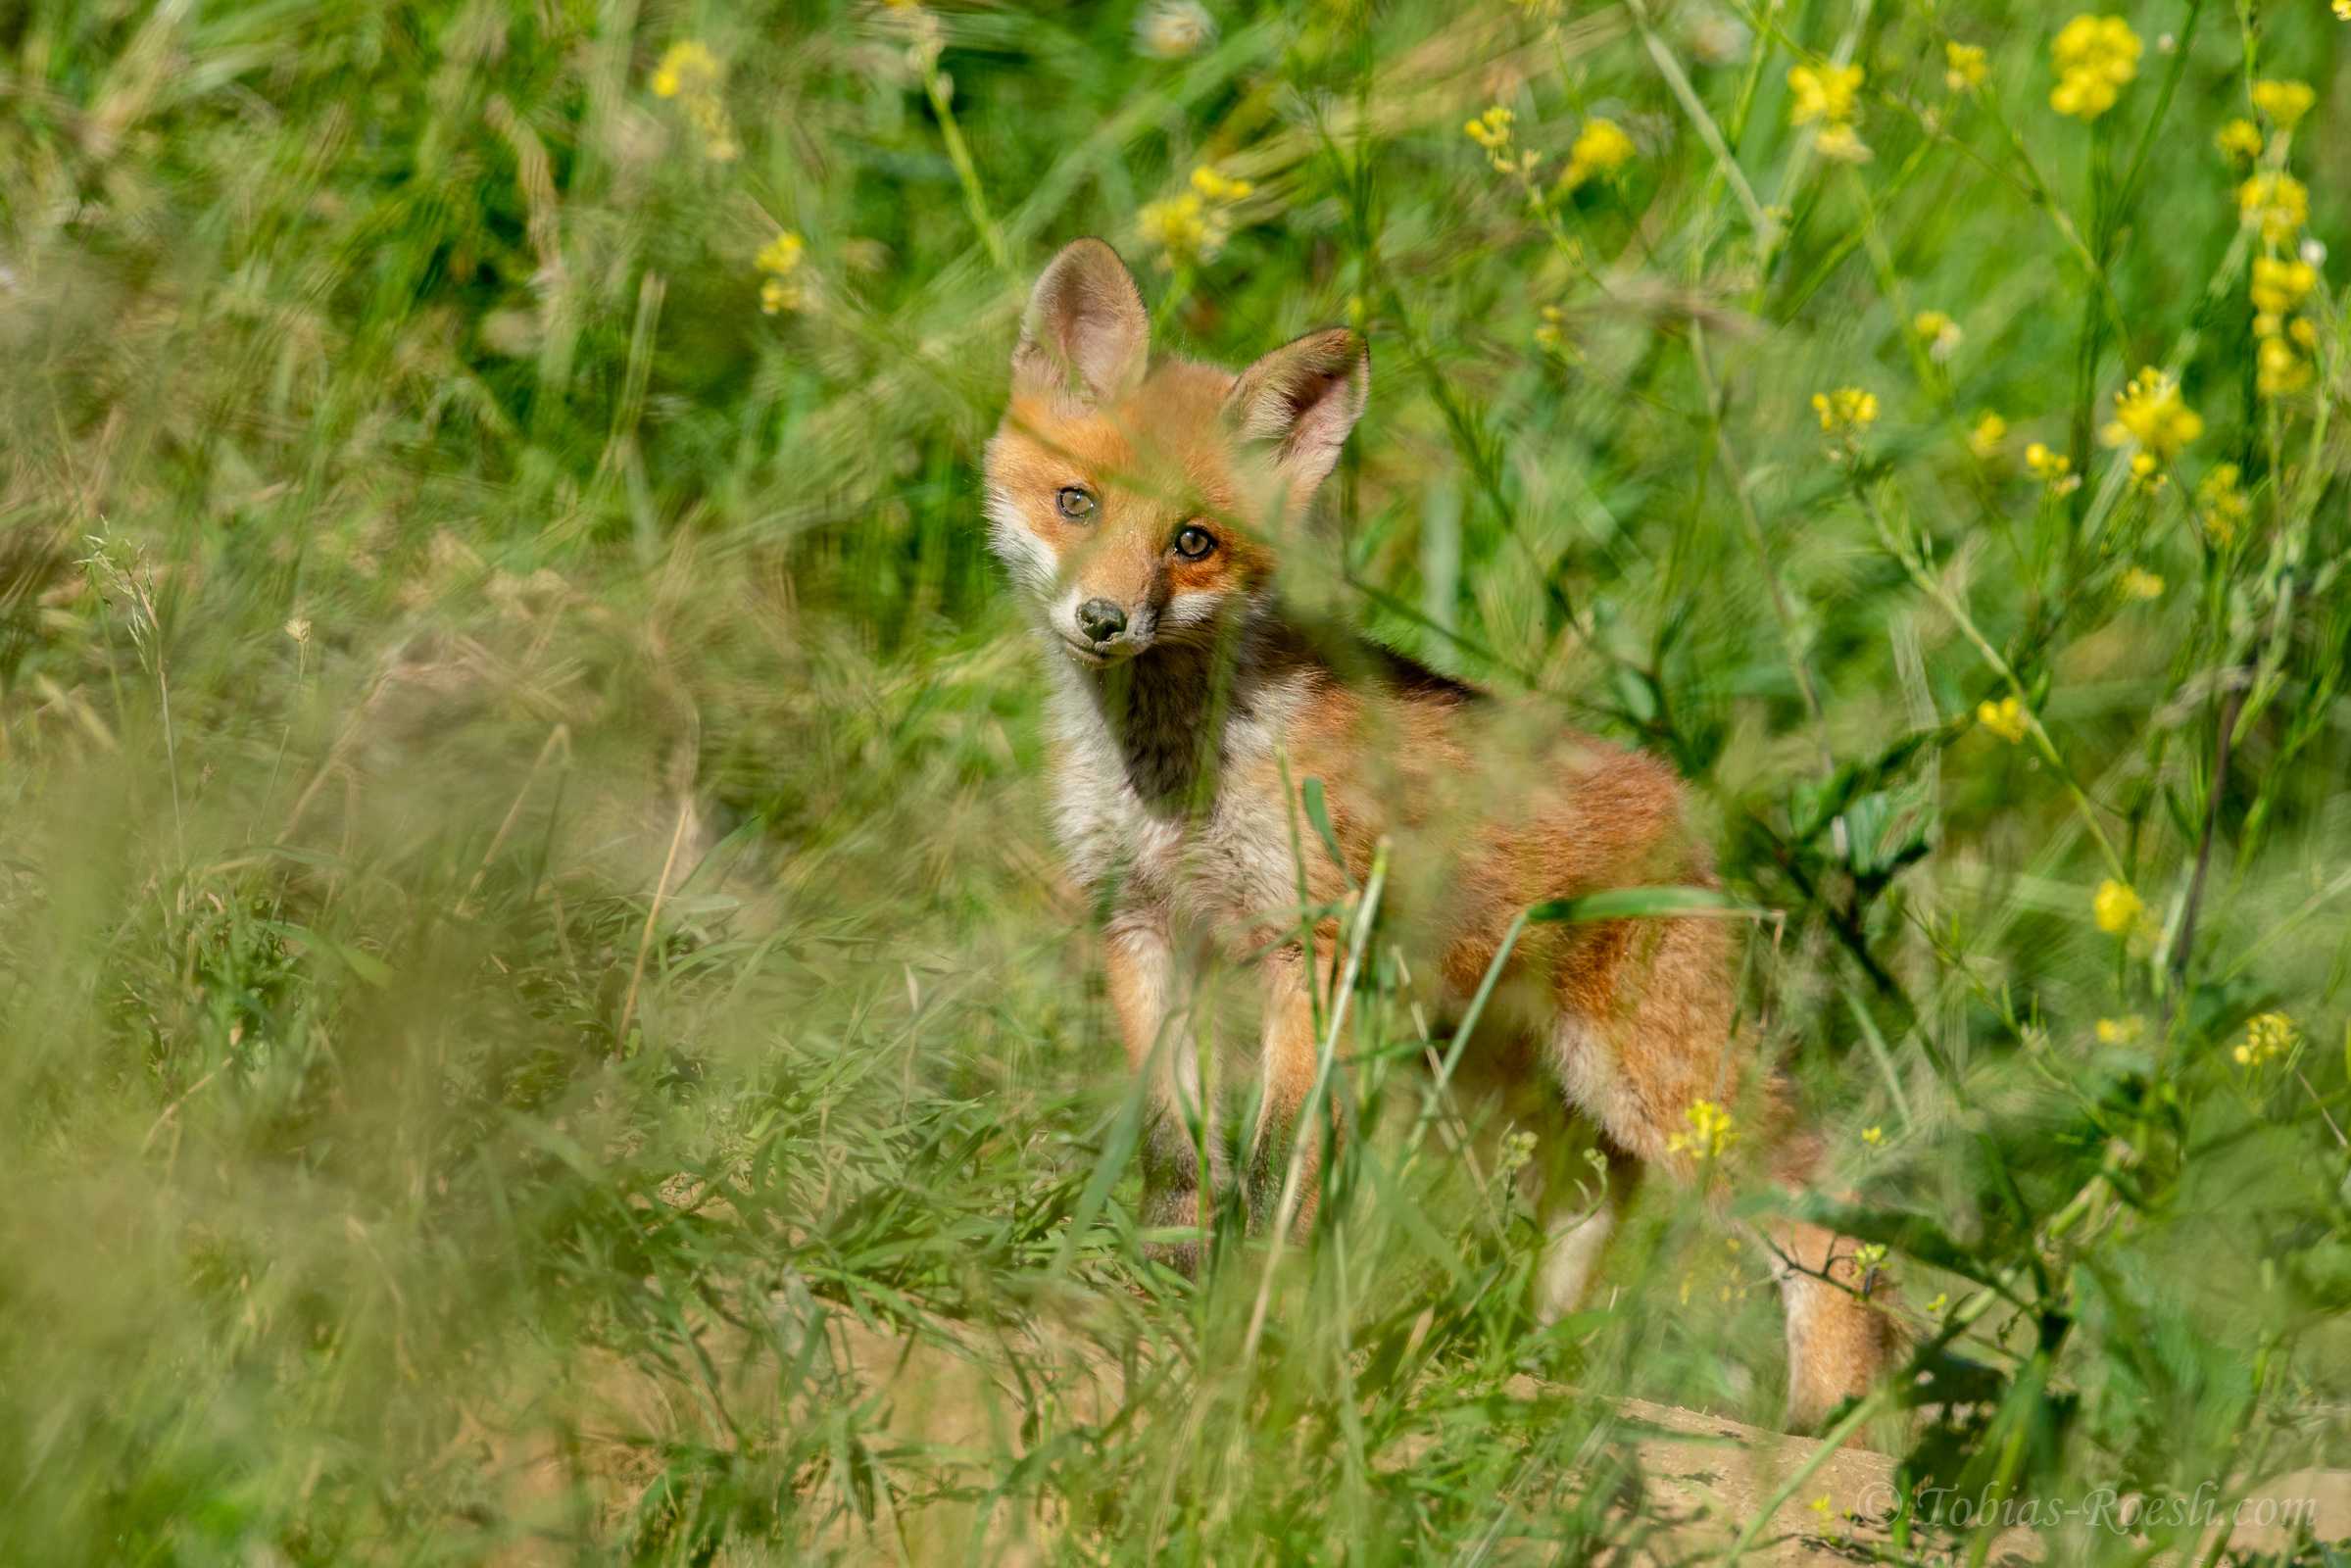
[[533, 963]]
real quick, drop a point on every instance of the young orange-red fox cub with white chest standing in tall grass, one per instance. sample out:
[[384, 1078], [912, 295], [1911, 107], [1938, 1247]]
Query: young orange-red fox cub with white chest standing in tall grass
[[1141, 507]]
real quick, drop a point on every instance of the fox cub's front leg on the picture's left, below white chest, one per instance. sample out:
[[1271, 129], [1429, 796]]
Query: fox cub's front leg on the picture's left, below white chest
[[1160, 1045]]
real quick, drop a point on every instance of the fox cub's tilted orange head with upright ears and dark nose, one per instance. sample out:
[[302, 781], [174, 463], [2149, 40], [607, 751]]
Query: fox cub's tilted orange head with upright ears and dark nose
[[1134, 502]]
